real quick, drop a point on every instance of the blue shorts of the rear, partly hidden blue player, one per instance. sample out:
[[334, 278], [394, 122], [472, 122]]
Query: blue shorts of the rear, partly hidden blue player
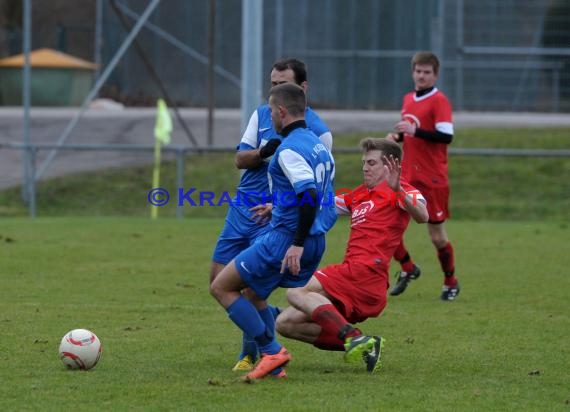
[[238, 234]]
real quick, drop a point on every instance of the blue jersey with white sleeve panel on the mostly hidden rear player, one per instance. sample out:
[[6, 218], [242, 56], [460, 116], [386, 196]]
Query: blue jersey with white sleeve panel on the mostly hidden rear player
[[254, 181]]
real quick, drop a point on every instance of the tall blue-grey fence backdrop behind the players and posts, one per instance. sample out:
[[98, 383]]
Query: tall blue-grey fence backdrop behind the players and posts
[[512, 55]]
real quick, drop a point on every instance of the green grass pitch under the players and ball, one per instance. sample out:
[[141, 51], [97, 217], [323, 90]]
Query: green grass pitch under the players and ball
[[141, 286]]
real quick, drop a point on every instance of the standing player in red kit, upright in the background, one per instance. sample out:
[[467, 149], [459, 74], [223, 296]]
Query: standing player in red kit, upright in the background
[[426, 130]]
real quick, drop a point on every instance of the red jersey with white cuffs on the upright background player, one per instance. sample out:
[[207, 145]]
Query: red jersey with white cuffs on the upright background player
[[425, 161]]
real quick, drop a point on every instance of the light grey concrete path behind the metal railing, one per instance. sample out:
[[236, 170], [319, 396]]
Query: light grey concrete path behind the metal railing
[[136, 125]]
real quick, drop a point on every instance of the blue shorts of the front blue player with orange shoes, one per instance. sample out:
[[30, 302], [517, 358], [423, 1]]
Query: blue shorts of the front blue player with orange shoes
[[260, 264]]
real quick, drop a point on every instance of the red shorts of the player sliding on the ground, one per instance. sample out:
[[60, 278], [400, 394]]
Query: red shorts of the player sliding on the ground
[[357, 291]]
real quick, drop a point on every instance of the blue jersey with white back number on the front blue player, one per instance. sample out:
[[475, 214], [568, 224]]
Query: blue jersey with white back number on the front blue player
[[300, 163]]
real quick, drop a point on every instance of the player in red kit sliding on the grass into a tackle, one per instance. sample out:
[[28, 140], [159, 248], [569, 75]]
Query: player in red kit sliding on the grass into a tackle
[[323, 311]]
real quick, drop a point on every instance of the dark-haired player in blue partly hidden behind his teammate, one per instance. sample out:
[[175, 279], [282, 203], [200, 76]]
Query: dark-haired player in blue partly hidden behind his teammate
[[259, 142]]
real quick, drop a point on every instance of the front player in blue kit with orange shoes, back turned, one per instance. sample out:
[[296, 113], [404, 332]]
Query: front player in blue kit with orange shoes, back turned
[[300, 174]]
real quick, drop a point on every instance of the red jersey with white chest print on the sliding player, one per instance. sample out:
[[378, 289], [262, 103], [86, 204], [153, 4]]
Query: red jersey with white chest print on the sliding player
[[377, 224]]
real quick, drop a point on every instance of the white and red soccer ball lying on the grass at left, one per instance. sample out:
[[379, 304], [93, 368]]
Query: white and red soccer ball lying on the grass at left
[[80, 349]]
